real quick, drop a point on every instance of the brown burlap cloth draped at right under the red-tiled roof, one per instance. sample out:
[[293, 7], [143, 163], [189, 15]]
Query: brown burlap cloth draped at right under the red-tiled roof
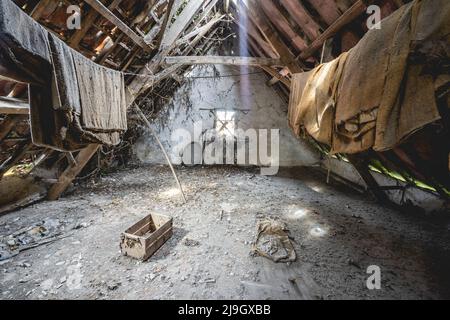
[[383, 89]]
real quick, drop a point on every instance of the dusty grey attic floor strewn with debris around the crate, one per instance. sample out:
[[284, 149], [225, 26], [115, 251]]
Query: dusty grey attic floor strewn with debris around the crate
[[337, 235]]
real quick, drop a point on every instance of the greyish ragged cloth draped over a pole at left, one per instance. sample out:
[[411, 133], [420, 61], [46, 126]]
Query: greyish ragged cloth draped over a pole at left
[[73, 101]]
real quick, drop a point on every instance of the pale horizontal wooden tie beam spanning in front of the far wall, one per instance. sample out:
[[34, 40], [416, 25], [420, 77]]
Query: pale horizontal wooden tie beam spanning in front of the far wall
[[236, 61]]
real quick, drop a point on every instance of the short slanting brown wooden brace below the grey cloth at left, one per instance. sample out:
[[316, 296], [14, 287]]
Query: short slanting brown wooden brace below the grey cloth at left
[[72, 171]]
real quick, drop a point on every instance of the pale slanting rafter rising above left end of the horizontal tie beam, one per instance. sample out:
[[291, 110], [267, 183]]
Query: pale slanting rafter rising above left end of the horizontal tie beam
[[181, 22]]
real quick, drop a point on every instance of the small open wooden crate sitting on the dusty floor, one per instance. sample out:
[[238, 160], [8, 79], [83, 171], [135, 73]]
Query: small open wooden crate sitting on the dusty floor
[[144, 238]]
